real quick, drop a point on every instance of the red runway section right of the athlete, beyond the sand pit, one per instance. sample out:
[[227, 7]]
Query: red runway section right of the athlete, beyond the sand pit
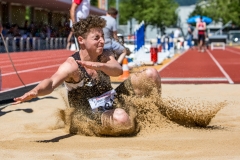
[[212, 66]]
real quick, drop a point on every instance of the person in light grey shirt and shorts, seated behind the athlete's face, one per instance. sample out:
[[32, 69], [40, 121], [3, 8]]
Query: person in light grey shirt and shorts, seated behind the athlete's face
[[110, 35]]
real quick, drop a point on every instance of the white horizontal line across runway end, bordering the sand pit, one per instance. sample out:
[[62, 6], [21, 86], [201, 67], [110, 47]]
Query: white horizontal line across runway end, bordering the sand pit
[[218, 79]]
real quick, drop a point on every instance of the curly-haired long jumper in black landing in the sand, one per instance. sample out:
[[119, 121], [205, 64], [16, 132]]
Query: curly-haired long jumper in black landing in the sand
[[86, 75]]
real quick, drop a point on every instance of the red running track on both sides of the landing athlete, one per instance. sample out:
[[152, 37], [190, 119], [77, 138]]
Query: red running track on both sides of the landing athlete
[[217, 66]]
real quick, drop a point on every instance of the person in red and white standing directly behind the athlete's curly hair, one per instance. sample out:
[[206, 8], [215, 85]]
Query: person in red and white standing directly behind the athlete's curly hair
[[79, 10]]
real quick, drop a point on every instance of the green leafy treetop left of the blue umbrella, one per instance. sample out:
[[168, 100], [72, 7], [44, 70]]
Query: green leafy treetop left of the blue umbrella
[[153, 12]]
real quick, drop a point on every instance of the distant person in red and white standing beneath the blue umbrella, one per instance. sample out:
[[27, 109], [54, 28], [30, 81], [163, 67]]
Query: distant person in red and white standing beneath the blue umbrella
[[201, 27]]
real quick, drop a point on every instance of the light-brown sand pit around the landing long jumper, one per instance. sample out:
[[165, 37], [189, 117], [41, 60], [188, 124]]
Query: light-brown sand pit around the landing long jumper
[[33, 130]]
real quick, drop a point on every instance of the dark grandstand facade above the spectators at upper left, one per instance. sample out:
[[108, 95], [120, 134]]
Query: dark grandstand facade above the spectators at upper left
[[51, 12]]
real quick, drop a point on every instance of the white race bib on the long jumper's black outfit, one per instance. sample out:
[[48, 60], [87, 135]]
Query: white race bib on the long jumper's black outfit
[[102, 102]]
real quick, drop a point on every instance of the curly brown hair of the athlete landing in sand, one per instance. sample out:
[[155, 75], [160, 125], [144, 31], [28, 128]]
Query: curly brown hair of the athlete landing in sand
[[82, 28]]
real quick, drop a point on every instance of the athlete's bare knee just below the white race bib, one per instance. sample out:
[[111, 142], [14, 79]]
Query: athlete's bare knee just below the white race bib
[[120, 117]]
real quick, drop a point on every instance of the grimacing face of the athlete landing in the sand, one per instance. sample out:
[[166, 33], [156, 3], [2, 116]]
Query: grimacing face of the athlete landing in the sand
[[94, 41]]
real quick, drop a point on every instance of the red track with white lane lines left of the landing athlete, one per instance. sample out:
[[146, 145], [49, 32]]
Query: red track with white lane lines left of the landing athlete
[[32, 67]]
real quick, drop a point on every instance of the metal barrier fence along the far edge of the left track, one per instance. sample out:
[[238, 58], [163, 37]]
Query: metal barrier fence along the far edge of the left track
[[20, 44]]
